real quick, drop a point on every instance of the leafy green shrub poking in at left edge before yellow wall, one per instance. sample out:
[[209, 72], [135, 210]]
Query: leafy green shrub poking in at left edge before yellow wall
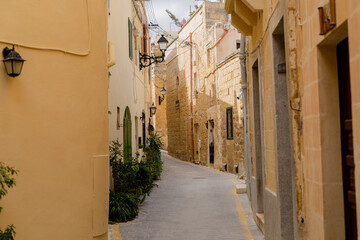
[[7, 181]]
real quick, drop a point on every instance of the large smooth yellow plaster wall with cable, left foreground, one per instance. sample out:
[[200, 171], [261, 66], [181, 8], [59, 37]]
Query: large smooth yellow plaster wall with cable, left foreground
[[53, 118]]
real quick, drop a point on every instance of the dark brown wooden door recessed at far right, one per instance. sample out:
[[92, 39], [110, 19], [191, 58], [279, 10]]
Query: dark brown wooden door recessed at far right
[[347, 140]]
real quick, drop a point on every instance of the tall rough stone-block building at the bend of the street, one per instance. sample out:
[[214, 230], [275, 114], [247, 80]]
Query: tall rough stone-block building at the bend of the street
[[203, 83]]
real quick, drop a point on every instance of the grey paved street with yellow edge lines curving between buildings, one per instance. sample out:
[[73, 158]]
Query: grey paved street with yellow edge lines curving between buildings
[[192, 203]]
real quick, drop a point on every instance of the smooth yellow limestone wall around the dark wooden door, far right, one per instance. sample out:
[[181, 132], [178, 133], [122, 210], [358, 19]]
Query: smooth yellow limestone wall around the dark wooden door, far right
[[324, 213]]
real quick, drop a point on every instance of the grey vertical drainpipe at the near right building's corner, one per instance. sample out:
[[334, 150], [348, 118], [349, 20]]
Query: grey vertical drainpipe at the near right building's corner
[[244, 88]]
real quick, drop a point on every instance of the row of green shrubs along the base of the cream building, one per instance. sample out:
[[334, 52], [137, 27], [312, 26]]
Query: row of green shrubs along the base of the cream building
[[133, 178]]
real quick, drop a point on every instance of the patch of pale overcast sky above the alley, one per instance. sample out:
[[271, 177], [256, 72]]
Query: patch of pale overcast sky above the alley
[[180, 8]]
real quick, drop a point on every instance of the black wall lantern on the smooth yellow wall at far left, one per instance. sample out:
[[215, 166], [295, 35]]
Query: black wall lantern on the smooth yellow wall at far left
[[13, 62]]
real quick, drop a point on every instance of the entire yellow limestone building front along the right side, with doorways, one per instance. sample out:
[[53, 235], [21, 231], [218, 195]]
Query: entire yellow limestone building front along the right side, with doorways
[[302, 72]]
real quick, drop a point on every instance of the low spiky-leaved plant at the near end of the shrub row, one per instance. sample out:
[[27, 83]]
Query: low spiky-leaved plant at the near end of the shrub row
[[123, 207]]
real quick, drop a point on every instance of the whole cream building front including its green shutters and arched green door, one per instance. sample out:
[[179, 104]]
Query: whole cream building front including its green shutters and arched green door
[[129, 86]]
